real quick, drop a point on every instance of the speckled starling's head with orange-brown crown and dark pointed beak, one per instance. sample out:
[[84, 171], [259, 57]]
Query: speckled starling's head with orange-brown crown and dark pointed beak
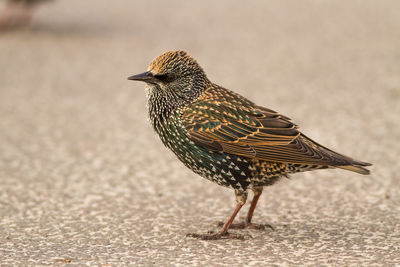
[[174, 74]]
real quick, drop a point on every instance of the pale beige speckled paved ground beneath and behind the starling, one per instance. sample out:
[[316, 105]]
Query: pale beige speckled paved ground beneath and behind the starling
[[84, 181]]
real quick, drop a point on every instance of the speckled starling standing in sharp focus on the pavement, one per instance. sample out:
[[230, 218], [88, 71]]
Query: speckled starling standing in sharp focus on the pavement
[[226, 138]]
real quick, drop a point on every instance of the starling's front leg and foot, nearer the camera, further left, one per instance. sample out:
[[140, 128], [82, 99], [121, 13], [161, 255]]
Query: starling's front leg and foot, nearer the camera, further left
[[241, 197]]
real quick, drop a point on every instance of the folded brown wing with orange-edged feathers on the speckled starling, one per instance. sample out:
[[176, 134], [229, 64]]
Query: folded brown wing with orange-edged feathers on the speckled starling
[[223, 121]]
